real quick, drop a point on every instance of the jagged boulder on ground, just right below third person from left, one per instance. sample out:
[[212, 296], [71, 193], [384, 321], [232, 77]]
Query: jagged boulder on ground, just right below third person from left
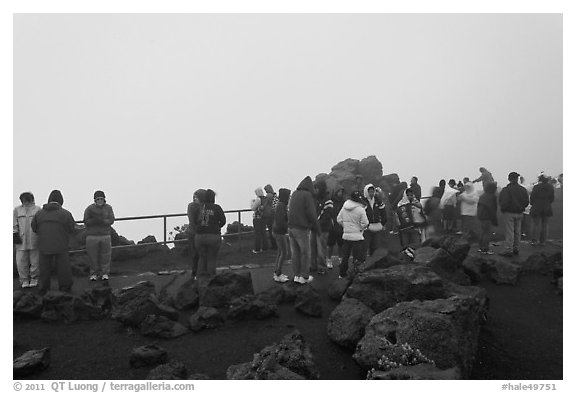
[[132, 304]]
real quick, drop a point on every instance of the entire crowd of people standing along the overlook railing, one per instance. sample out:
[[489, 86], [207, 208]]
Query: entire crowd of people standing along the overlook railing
[[314, 227]]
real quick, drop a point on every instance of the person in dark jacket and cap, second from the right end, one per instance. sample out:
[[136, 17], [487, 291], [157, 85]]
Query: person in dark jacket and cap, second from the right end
[[513, 200]]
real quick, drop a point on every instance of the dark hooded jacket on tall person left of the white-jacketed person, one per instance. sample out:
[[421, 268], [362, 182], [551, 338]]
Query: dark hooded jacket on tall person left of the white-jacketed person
[[302, 207]]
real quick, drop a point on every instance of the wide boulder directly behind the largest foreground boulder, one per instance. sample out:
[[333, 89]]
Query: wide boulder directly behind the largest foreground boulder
[[380, 289]]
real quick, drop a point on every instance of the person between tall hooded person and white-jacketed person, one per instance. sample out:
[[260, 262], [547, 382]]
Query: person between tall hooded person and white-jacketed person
[[319, 241]]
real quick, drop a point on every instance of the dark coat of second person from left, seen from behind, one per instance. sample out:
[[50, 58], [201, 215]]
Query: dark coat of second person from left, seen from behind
[[53, 224]]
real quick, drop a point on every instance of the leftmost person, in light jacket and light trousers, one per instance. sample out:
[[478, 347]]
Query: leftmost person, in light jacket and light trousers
[[27, 254]]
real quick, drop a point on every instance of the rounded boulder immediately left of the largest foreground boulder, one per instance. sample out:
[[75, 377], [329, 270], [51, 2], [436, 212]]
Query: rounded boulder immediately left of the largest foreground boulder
[[347, 322]]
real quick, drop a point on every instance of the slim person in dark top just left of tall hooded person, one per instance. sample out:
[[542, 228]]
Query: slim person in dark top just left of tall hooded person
[[280, 231]]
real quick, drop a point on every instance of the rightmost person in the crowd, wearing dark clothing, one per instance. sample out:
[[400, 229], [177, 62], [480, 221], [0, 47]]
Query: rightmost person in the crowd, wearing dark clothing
[[541, 200]]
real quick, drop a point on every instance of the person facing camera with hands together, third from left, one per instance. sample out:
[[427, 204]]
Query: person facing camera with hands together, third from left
[[98, 218]]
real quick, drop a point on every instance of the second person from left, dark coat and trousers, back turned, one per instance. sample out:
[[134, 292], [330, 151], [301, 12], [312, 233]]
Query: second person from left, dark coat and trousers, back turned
[[54, 225]]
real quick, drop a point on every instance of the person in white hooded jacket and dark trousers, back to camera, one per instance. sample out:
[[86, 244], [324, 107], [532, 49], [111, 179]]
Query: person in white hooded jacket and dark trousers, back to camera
[[353, 219]]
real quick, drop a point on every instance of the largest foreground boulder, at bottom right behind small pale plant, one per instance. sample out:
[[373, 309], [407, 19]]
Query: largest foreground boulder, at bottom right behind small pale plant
[[444, 330]]
